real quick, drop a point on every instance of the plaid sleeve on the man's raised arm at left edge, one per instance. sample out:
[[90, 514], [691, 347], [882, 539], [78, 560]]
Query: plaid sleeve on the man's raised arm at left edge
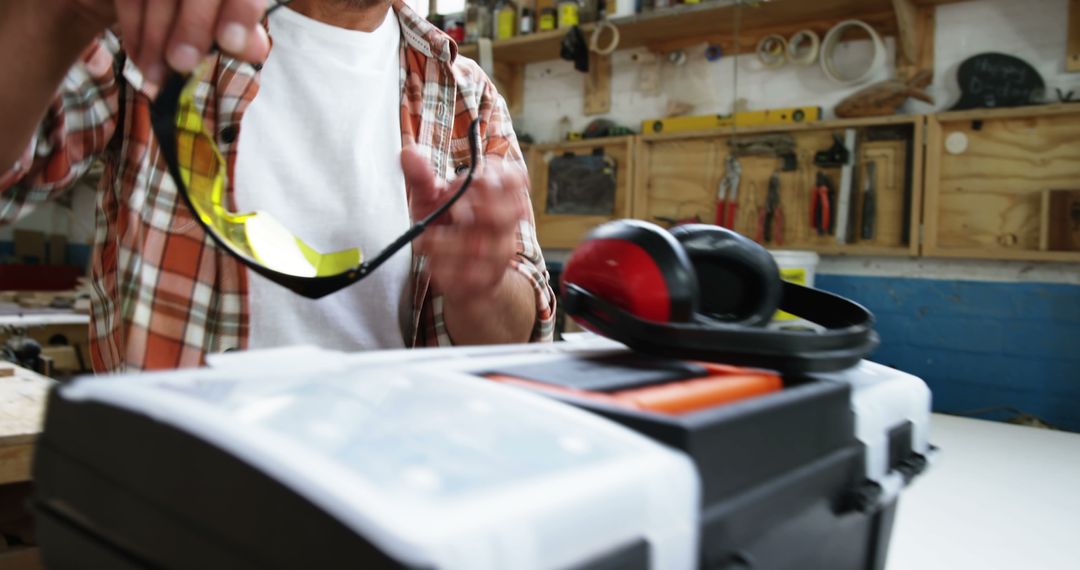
[[76, 130]]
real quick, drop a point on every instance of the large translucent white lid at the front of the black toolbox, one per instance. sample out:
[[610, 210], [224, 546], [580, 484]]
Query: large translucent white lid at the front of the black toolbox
[[436, 469]]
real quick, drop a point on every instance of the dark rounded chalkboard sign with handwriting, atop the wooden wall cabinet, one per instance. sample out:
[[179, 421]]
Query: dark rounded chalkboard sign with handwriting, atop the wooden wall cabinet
[[998, 80]]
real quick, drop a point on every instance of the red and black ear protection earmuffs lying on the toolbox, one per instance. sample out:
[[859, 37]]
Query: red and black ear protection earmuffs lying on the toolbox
[[707, 293]]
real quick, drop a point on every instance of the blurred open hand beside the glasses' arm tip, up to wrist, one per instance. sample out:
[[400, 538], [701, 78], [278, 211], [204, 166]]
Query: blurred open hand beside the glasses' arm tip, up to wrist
[[470, 248]]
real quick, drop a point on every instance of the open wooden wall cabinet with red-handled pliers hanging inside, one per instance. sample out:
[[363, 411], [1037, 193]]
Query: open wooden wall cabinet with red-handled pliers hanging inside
[[679, 177]]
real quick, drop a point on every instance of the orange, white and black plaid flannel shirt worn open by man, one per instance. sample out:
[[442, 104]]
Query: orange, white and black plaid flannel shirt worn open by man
[[165, 295]]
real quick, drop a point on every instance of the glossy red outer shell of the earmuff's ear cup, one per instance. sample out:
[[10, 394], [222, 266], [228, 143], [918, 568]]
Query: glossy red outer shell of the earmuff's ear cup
[[625, 275]]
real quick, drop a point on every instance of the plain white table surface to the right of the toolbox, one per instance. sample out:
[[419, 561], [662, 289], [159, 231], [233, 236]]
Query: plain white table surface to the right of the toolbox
[[1003, 497]]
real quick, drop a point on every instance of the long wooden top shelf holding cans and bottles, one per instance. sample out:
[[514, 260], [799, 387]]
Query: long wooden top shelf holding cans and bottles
[[712, 22]]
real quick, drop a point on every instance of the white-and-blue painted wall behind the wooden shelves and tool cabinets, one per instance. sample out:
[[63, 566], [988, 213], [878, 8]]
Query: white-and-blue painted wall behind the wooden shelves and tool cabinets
[[997, 340]]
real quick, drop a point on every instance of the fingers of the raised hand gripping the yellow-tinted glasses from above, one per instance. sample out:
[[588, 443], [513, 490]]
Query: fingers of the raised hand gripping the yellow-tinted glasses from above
[[179, 34]]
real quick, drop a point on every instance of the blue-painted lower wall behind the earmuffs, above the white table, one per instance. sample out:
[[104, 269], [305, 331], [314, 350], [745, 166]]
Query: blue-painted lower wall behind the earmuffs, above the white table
[[980, 345]]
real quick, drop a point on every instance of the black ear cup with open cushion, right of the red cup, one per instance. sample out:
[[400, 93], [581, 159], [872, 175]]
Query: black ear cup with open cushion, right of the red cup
[[738, 280]]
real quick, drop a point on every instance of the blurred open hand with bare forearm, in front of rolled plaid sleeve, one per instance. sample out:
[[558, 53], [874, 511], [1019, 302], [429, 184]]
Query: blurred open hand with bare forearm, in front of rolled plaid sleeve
[[469, 250]]
